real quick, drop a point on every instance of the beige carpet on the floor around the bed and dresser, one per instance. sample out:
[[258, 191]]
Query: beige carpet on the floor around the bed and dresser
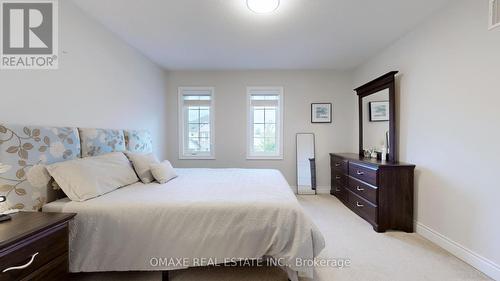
[[374, 256]]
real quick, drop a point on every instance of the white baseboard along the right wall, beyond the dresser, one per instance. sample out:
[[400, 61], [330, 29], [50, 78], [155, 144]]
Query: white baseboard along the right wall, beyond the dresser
[[479, 262]]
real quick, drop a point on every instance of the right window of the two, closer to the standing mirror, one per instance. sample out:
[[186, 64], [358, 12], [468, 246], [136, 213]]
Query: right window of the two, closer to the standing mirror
[[265, 129]]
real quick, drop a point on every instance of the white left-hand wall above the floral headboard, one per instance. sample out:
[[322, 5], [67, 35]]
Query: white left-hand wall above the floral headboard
[[101, 82]]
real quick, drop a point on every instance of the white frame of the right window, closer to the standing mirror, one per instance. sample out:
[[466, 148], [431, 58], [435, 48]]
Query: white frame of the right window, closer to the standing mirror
[[256, 156]]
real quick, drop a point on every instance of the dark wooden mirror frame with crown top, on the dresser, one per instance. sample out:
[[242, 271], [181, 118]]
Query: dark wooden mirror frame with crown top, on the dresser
[[386, 81]]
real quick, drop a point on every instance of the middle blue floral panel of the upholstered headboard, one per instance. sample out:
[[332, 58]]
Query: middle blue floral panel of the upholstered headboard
[[96, 142]]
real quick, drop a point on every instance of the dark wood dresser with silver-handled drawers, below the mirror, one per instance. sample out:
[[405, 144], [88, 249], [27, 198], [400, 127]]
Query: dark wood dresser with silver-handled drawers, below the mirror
[[378, 191]]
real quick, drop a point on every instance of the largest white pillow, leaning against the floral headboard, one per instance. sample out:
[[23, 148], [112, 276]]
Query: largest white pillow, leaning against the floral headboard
[[86, 178]]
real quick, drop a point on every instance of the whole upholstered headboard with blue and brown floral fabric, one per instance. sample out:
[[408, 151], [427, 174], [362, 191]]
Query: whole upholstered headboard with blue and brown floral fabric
[[23, 147]]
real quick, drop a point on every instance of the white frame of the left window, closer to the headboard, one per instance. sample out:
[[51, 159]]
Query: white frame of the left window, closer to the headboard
[[182, 126]]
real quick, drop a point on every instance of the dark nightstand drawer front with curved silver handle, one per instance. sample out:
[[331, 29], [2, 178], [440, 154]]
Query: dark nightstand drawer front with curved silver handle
[[31, 254]]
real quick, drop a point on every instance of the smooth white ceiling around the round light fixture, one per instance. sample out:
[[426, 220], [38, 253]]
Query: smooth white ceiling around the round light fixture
[[224, 34]]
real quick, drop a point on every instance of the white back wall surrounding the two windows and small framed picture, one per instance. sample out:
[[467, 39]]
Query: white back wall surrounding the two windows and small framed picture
[[301, 88]]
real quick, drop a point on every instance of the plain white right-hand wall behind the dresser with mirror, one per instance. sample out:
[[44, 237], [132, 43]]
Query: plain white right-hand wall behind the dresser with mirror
[[448, 107]]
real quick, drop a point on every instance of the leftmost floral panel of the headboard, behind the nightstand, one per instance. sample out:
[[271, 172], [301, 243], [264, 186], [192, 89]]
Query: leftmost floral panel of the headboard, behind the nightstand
[[21, 149]]
